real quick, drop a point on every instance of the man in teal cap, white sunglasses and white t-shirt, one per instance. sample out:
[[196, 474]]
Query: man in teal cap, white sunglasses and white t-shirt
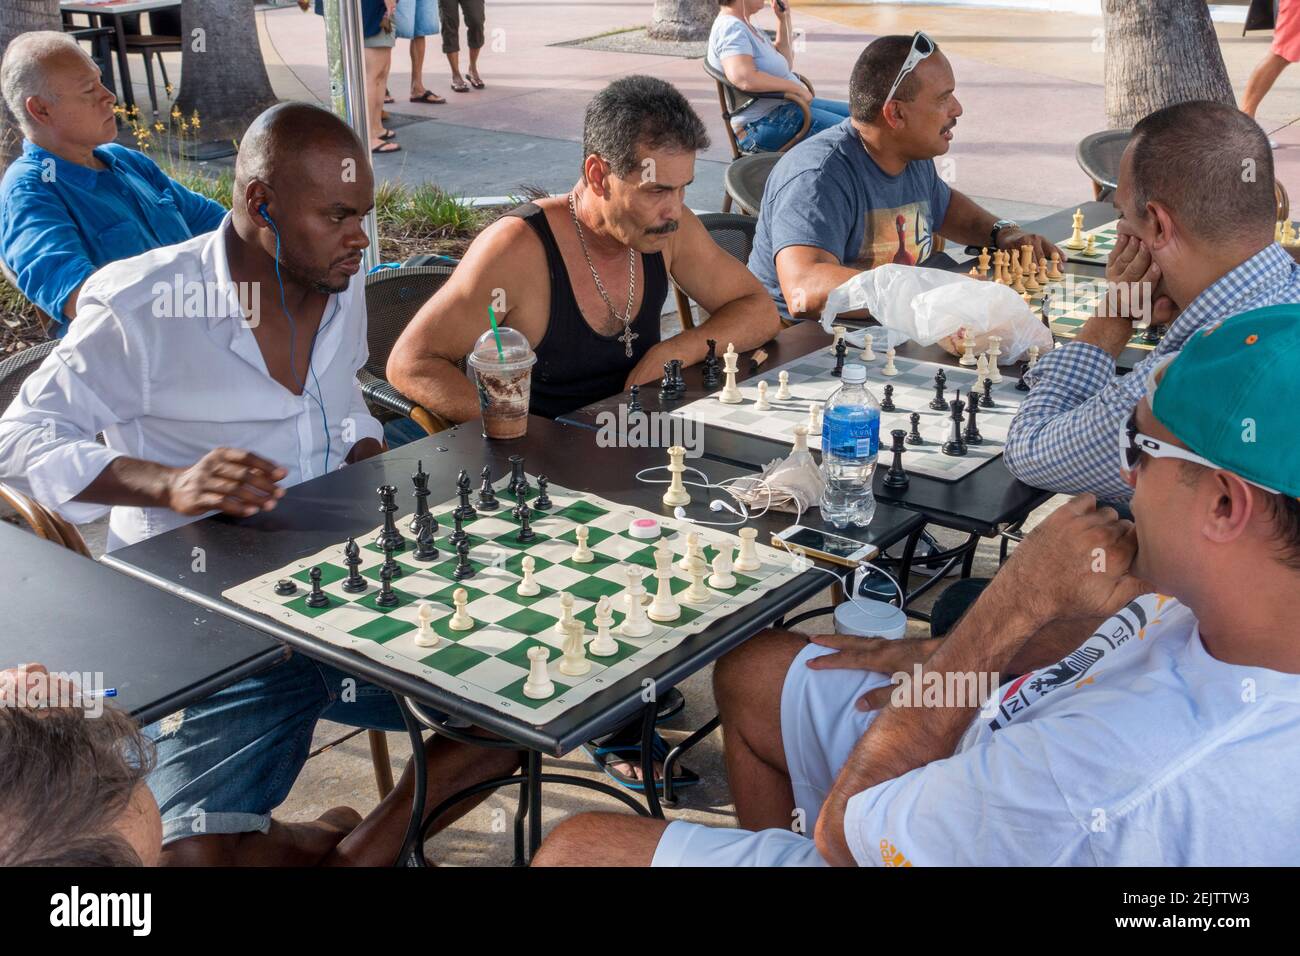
[[1168, 738]]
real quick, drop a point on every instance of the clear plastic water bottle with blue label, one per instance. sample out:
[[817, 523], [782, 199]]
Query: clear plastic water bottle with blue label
[[851, 442]]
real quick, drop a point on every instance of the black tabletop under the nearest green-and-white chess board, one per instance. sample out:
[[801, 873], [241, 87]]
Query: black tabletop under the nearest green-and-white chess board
[[324, 512]]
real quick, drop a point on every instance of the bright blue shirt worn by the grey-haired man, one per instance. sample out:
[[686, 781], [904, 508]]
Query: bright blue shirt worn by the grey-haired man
[[60, 222]]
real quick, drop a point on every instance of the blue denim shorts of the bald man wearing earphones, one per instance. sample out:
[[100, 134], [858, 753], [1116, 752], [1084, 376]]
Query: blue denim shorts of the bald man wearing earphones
[[228, 762]]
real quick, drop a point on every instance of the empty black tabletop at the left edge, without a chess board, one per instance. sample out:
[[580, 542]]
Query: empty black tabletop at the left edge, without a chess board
[[76, 616]]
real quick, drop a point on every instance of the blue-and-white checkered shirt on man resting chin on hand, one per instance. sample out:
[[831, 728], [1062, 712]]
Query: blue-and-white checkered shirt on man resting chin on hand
[[1065, 436]]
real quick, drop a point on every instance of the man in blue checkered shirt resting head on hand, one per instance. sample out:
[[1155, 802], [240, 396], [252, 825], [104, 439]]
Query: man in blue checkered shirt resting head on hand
[[1197, 223]]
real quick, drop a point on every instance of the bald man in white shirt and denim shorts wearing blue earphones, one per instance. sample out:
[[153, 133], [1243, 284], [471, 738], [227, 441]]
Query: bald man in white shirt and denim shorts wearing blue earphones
[[219, 371]]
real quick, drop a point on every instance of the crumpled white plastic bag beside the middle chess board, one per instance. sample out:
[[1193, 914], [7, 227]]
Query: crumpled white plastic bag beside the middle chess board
[[931, 308]]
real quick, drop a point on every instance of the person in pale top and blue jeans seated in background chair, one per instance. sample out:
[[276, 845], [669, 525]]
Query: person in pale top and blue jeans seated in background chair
[[755, 64]]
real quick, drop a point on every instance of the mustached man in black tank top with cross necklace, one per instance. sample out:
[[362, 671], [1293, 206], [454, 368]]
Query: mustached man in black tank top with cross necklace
[[586, 276]]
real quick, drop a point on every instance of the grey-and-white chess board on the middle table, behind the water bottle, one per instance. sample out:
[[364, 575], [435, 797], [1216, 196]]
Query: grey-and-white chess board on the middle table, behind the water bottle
[[812, 383]]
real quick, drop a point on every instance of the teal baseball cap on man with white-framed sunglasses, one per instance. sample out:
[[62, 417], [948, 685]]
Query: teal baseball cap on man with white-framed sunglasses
[[1233, 396]]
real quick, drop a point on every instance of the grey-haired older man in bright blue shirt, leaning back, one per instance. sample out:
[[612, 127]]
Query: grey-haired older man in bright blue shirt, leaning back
[[76, 201]]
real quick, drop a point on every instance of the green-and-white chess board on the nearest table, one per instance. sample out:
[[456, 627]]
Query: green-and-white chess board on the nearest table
[[489, 664]]
